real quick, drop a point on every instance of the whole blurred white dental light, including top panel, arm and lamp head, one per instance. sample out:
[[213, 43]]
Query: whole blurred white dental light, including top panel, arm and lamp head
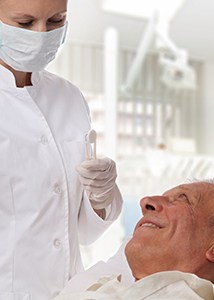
[[176, 73]]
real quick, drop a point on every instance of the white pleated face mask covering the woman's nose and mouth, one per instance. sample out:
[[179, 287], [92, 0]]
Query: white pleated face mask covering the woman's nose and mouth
[[27, 50]]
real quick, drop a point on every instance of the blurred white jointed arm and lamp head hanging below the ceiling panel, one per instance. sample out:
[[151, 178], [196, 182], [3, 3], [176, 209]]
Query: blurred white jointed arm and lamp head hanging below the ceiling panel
[[176, 71]]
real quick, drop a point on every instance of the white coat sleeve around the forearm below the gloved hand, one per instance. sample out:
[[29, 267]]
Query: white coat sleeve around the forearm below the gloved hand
[[91, 227]]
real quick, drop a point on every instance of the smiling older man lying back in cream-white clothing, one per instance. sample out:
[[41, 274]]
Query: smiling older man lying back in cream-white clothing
[[171, 253]]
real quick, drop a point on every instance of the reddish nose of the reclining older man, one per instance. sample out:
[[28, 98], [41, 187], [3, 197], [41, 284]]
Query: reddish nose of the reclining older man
[[152, 203]]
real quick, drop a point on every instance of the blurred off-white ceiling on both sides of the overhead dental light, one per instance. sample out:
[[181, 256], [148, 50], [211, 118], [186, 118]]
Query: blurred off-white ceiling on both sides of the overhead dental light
[[190, 29]]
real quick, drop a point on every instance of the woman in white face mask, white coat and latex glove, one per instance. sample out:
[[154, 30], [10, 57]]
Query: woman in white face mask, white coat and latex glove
[[51, 200]]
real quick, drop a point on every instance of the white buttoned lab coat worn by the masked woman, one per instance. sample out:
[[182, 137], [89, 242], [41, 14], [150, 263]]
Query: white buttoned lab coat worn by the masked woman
[[42, 217]]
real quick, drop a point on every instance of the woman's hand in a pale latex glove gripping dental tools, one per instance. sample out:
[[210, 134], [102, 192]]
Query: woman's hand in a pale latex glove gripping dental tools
[[98, 178]]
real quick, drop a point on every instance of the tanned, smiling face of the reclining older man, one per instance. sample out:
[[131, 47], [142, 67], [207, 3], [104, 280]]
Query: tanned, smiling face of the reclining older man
[[175, 232]]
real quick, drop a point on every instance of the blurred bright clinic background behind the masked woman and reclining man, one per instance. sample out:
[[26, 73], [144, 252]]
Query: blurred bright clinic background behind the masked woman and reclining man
[[146, 69]]
